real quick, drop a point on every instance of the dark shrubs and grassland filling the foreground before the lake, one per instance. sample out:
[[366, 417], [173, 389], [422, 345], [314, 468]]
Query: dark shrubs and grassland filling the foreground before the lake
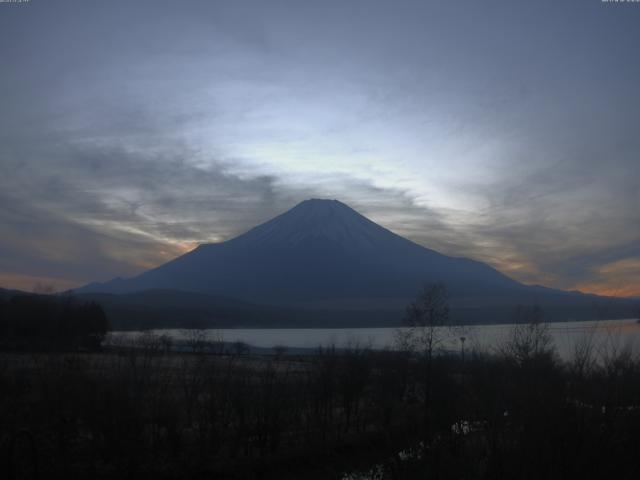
[[144, 411]]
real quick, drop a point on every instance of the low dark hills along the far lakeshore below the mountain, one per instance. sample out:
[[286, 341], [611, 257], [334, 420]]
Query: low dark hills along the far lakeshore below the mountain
[[180, 309]]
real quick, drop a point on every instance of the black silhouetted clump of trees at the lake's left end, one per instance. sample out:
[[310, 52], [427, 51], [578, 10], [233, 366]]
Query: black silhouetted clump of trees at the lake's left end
[[47, 322]]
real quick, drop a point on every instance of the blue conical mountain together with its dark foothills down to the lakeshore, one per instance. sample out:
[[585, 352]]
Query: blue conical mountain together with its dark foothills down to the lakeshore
[[328, 262]]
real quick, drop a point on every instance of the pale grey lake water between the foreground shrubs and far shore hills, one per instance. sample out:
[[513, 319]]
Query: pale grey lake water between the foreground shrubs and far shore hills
[[604, 335]]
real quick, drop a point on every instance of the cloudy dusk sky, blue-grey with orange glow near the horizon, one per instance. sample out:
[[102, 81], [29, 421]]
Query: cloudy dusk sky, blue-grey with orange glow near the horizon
[[504, 131]]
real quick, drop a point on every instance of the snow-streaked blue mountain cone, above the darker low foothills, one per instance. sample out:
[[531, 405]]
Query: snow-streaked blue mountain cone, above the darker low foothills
[[319, 251]]
